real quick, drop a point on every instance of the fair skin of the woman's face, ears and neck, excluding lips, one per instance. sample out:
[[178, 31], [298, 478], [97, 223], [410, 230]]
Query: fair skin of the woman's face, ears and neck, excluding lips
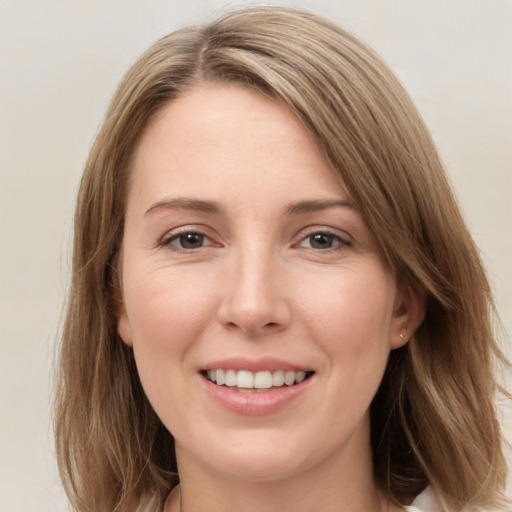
[[257, 284]]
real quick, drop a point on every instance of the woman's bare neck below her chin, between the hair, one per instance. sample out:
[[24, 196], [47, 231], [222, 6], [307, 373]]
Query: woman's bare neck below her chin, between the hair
[[331, 486]]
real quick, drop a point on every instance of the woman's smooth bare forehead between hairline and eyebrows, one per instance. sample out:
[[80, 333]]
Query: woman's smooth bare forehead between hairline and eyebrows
[[217, 136]]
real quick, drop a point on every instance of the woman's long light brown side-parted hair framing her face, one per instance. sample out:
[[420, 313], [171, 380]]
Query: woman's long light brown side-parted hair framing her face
[[433, 419]]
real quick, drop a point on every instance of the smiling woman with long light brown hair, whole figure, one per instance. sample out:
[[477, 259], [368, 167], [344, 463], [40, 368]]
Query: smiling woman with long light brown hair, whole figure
[[275, 302]]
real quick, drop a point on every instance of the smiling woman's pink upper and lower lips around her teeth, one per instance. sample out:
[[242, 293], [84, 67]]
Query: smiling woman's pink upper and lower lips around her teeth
[[254, 404]]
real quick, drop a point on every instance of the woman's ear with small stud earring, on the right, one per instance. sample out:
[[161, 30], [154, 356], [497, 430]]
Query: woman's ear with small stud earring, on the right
[[408, 313]]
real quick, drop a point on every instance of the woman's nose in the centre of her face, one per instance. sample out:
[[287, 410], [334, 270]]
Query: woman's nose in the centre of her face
[[255, 298]]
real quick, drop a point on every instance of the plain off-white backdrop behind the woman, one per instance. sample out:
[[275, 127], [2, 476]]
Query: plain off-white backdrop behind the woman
[[60, 62]]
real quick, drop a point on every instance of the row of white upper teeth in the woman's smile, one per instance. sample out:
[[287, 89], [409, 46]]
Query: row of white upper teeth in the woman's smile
[[245, 380]]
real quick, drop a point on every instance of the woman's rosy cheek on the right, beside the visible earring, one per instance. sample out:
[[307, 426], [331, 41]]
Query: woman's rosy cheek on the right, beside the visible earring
[[351, 321]]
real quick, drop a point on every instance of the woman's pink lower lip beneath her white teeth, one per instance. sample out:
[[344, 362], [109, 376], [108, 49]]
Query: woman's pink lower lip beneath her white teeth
[[255, 403]]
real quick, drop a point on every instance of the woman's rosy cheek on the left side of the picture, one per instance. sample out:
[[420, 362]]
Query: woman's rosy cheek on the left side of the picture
[[167, 315]]
